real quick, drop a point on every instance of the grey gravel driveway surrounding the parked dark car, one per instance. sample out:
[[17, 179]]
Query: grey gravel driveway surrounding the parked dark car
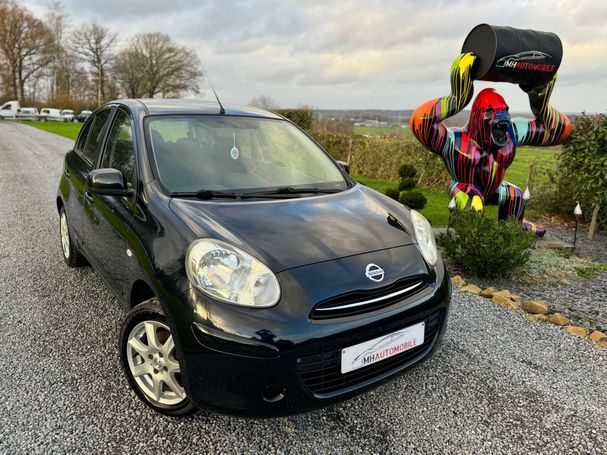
[[501, 384]]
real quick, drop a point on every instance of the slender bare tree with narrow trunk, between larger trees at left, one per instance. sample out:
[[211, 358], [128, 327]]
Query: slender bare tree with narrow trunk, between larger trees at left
[[94, 44]]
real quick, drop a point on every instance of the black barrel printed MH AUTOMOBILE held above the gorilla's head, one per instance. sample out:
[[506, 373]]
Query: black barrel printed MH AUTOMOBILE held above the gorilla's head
[[507, 54]]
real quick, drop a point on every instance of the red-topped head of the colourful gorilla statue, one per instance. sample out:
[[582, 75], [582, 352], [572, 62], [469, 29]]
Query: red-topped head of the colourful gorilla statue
[[490, 124]]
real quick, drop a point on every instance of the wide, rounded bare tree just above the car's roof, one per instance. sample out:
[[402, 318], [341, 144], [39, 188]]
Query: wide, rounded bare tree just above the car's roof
[[152, 64]]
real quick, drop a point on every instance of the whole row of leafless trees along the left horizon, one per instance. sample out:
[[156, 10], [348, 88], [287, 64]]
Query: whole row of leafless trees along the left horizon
[[48, 61]]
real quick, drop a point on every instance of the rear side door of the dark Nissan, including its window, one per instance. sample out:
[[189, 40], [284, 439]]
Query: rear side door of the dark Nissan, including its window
[[78, 164]]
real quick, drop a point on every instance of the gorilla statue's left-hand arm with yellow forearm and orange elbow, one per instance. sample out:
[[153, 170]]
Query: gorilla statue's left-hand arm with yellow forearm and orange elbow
[[427, 120]]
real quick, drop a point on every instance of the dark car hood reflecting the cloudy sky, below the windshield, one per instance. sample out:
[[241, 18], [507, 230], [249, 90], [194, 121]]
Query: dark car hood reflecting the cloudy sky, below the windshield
[[287, 233]]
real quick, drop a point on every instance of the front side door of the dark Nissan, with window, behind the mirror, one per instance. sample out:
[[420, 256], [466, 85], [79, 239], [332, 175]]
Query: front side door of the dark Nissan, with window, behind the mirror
[[107, 218]]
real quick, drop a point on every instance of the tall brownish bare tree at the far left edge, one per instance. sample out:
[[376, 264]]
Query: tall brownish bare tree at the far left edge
[[24, 45]]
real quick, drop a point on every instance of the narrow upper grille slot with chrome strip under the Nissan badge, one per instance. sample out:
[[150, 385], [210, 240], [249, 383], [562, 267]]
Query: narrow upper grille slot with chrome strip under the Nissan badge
[[360, 302]]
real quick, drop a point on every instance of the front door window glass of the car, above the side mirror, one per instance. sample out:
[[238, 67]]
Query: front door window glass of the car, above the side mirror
[[120, 148]]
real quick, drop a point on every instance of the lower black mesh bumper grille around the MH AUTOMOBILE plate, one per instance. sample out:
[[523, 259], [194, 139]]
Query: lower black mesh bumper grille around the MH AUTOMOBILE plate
[[321, 373]]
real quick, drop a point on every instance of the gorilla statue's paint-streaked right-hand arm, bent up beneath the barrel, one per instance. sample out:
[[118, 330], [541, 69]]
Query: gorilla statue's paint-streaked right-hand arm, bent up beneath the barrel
[[549, 127]]
